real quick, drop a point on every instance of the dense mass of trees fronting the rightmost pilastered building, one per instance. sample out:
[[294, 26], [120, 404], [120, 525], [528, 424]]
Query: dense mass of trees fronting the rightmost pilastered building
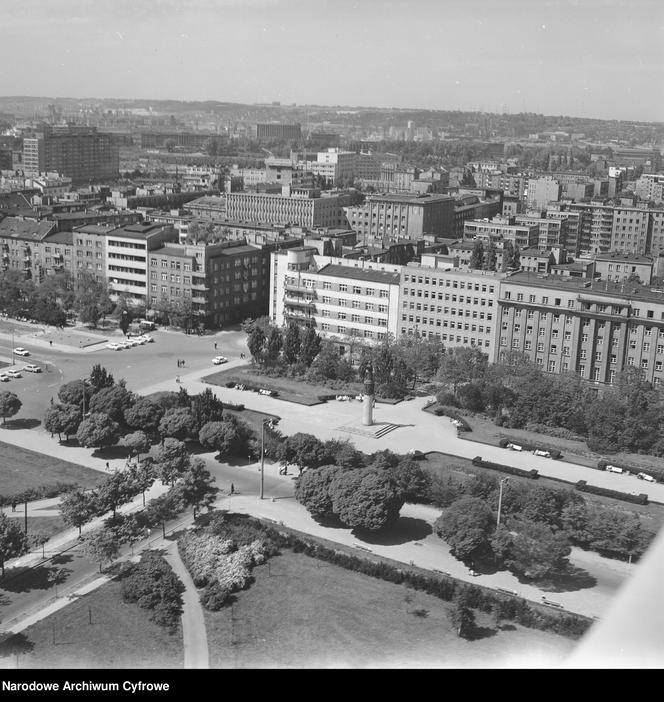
[[628, 416]]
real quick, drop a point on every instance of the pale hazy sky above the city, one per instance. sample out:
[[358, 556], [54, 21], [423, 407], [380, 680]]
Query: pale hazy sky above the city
[[587, 58]]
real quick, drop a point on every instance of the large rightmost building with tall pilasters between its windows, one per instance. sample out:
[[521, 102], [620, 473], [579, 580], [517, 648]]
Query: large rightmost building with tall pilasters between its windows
[[594, 329]]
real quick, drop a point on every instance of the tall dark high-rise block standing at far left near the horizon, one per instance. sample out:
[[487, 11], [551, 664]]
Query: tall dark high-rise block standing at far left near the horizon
[[79, 153]]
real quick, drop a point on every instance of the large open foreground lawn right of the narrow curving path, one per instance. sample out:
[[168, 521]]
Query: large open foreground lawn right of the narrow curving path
[[303, 613]]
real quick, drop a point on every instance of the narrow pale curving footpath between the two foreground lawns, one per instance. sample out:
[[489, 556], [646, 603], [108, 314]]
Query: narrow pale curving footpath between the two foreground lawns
[[194, 635]]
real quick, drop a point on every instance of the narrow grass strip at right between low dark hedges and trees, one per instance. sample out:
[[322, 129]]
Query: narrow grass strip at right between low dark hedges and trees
[[652, 515]]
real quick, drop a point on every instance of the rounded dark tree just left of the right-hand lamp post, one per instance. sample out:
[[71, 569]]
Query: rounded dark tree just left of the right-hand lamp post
[[466, 525]]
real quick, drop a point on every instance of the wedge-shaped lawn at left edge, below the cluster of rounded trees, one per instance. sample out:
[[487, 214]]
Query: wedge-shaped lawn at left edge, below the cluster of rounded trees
[[21, 469]]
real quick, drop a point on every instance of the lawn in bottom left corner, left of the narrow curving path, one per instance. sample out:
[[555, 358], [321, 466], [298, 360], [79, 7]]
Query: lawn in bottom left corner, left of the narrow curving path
[[121, 636]]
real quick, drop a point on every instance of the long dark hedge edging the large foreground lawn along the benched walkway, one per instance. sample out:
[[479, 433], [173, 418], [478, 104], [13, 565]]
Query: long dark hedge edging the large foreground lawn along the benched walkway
[[444, 587]]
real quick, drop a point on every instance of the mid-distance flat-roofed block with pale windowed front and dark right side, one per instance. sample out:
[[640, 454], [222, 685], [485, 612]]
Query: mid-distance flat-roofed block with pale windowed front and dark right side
[[392, 217]]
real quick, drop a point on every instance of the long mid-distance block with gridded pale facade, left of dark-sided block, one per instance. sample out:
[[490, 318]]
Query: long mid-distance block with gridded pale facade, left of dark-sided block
[[305, 207]]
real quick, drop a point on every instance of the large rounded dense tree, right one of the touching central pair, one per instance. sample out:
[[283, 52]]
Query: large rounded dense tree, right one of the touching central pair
[[366, 499]]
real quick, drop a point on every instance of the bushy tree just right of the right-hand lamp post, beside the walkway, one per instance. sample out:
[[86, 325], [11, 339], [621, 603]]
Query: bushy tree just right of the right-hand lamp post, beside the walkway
[[535, 550]]
